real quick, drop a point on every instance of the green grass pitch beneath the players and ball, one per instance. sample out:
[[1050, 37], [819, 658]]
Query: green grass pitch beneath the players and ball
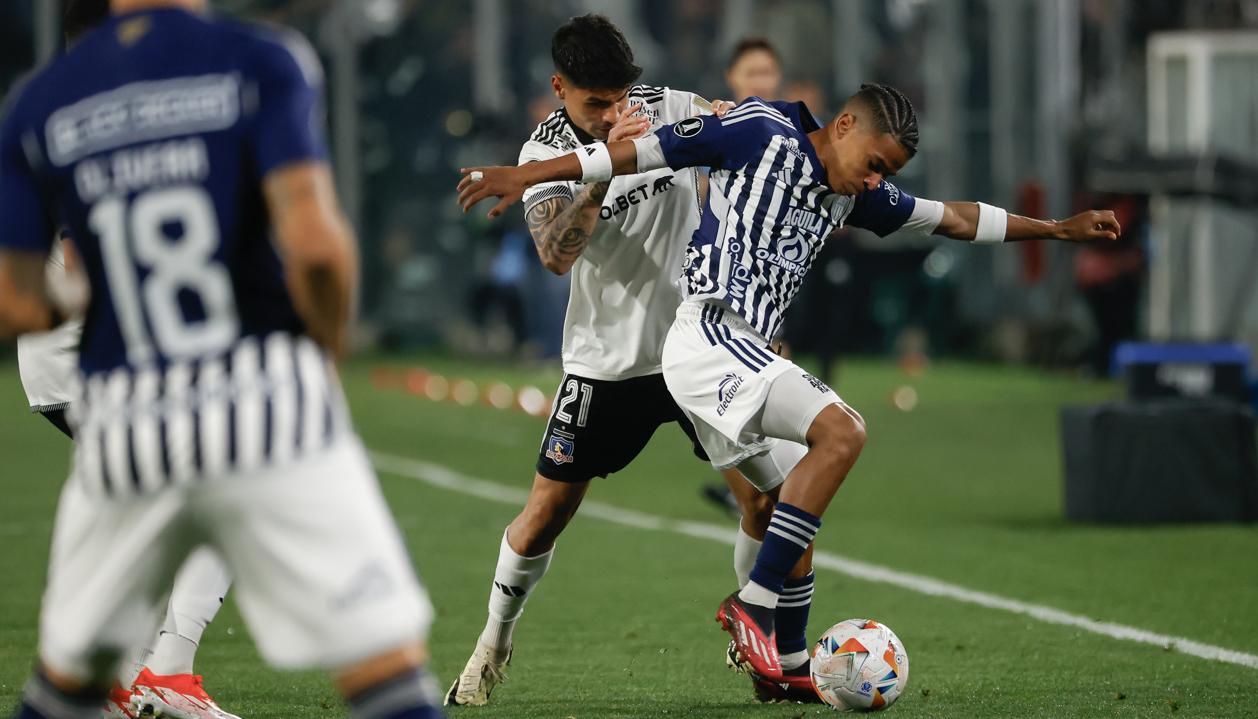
[[967, 490]]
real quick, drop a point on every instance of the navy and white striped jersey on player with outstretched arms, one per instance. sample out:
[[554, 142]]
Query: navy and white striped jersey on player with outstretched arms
[[769, 208]]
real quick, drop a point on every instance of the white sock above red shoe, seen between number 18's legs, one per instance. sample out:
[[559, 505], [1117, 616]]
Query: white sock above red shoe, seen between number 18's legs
[[196, 599]]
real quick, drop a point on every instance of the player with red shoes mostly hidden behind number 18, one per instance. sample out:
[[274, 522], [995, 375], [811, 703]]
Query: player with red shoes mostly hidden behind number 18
[[48, 366]]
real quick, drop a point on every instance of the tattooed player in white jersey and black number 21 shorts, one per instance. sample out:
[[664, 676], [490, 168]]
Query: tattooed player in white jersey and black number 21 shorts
[[623, 241]]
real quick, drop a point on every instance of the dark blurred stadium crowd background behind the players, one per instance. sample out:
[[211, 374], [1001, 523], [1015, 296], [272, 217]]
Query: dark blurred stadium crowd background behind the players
[[1149, 107]]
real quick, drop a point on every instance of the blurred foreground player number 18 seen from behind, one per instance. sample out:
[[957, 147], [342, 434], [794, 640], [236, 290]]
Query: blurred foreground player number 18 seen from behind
[[173, 144]]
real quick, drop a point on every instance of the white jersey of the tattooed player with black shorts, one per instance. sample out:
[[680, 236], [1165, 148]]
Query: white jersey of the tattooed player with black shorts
[[623, 296]]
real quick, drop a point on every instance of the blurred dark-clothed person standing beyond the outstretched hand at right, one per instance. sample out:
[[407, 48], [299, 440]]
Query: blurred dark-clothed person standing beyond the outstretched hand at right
[[1110, 276]]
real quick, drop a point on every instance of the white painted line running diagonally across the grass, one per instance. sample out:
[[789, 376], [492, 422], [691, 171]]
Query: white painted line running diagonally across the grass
[[446, 478]]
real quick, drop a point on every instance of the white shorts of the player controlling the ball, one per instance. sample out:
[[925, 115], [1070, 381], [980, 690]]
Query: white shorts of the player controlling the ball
[[720, 373]]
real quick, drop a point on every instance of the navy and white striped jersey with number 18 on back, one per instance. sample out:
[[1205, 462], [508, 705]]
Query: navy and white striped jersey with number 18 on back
[[150, 140]]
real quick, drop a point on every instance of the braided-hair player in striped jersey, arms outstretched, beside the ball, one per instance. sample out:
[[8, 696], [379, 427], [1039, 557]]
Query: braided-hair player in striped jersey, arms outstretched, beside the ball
[[781, 184]]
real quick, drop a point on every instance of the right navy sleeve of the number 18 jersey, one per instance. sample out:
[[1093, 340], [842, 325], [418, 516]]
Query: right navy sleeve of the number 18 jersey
[[290, 124]]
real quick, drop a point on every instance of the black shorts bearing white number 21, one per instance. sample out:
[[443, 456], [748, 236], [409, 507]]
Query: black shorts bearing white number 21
[[598, 427]]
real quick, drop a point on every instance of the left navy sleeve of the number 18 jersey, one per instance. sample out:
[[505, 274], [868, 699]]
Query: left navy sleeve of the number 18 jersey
[[28, 222]]
